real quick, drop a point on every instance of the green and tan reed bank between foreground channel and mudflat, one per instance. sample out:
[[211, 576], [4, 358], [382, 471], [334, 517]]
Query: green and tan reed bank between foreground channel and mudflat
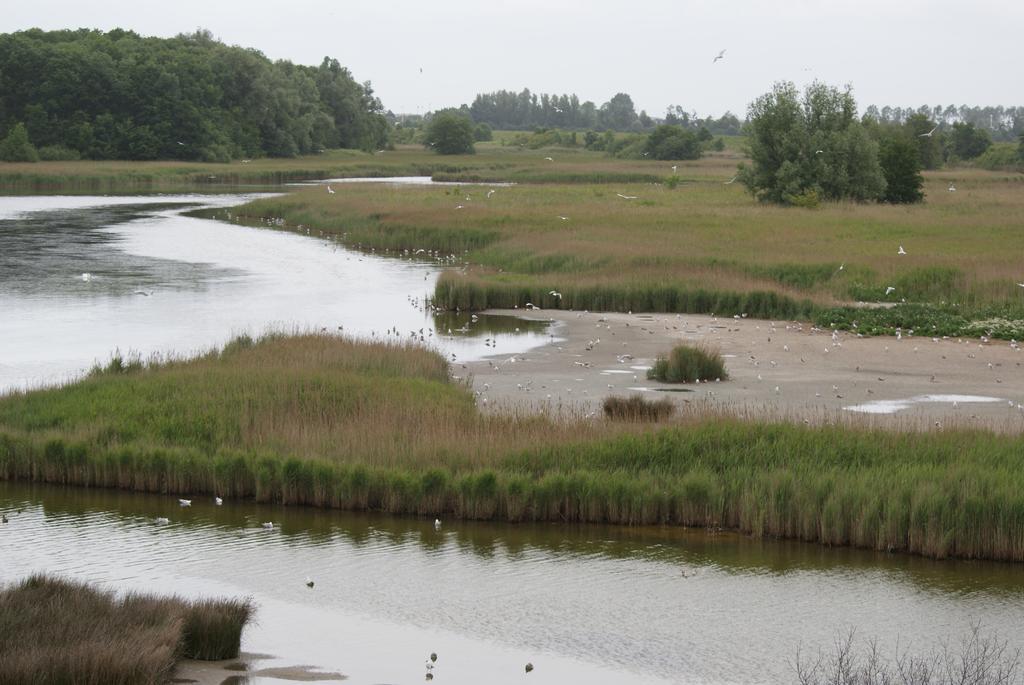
[[333, 423]]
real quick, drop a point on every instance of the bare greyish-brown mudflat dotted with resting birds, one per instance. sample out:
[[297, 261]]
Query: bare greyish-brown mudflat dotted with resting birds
[[781, 369]]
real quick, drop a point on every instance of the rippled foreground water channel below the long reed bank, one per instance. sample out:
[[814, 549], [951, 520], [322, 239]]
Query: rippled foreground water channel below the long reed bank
[[582, 604]]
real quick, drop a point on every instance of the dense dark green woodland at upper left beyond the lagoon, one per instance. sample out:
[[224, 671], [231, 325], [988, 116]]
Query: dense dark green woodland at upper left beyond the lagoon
[[119, 96]]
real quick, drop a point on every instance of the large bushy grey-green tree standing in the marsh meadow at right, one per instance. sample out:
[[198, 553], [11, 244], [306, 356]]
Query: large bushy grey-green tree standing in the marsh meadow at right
[[812, 148]]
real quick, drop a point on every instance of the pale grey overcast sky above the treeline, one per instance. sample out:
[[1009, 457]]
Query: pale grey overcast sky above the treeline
[[906, 53]]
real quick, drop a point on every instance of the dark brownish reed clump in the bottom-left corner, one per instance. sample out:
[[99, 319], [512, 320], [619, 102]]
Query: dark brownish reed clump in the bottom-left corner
[[56, 631]]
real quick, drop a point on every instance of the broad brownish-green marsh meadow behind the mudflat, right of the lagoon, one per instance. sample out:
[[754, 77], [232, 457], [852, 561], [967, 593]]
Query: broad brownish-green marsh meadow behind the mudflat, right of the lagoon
[[703, 247]]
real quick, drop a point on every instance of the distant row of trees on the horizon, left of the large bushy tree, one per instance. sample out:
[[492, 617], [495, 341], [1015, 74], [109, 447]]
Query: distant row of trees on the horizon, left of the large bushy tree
[[507, 110]]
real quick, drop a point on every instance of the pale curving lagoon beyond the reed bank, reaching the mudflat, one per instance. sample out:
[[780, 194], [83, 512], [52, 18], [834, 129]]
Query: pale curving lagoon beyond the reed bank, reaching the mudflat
[[84, 277]]
